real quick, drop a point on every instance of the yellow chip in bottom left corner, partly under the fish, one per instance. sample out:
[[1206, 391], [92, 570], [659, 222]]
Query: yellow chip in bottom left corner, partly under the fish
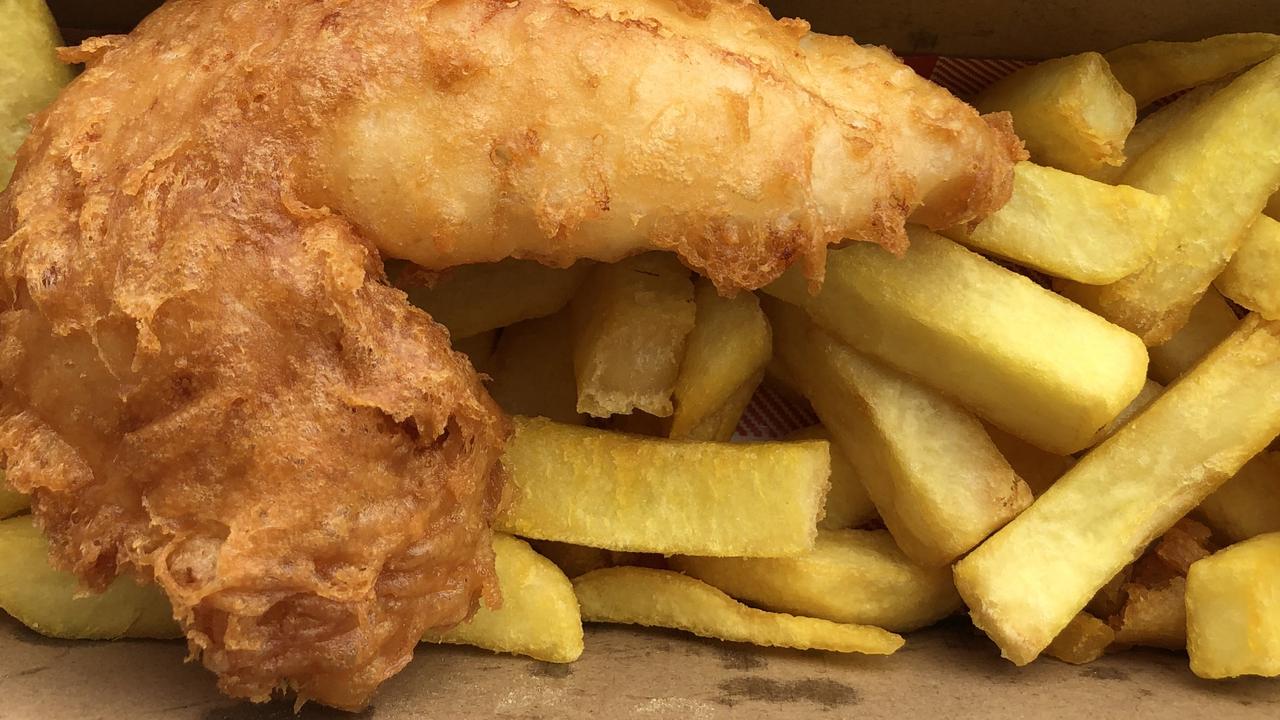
[[52, 603]]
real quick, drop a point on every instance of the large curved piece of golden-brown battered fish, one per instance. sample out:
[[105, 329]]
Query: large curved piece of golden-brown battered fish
[[204, 376]]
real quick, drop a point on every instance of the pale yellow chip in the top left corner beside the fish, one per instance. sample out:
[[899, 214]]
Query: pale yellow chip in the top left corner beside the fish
[[31, 75]]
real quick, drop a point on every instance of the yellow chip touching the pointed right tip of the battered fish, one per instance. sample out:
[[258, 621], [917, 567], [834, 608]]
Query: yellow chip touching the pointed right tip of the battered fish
[[1072, 227]]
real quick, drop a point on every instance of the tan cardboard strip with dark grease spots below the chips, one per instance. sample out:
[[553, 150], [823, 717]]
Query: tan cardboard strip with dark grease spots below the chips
[[949, 672]]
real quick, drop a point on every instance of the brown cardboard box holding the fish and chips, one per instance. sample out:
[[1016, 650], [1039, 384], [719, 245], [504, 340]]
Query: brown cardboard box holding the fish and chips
[[948, 672]]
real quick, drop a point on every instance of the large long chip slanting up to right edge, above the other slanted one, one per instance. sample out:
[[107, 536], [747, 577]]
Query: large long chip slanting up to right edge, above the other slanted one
[[1218, 167]]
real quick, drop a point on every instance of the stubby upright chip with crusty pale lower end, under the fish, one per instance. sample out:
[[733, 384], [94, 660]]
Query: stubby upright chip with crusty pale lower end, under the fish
[[632, 322]]
